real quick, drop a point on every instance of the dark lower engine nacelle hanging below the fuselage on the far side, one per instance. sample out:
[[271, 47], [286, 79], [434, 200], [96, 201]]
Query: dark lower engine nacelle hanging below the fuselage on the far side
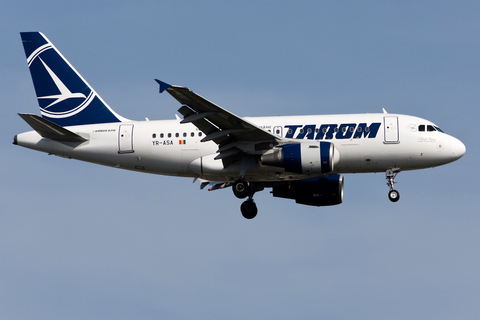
[[324, 191]]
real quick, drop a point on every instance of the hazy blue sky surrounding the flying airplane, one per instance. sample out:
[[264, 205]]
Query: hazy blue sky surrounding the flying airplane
[[83, 241]]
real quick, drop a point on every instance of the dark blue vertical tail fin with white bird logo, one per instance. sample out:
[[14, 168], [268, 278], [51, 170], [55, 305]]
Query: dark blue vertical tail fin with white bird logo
[[63, 95]]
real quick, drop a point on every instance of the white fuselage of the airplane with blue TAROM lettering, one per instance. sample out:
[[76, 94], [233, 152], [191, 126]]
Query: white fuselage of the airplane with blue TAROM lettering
[[363, 143]]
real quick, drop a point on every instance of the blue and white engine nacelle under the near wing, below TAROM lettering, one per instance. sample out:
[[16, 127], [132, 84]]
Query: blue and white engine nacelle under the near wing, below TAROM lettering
[[316, 157]]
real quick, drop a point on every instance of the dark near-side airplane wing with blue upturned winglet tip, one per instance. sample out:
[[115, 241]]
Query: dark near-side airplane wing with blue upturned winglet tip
[[233, 134]]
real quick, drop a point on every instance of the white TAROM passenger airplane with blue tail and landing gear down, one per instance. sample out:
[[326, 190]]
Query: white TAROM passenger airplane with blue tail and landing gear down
[[299, 157]]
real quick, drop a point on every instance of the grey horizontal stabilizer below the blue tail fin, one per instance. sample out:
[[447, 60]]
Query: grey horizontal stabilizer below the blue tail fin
[[50, 130]]
